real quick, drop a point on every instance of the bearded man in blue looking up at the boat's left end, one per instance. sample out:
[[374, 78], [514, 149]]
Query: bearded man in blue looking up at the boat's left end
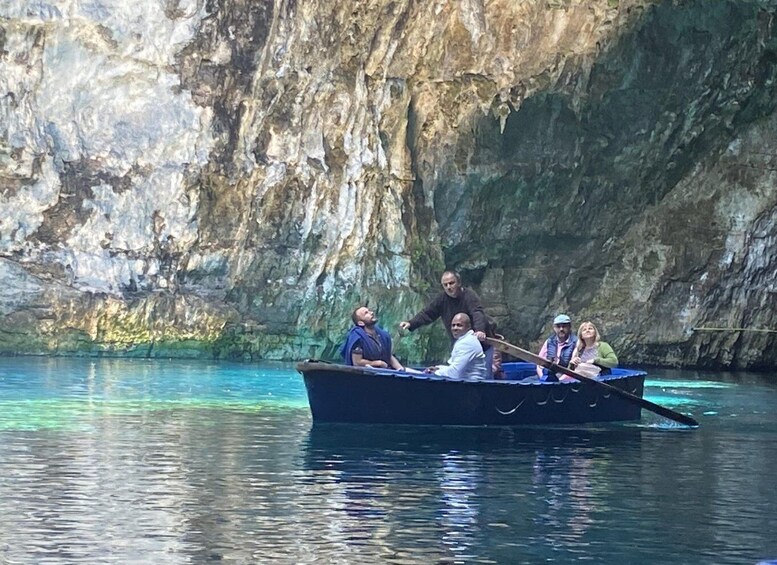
[[367, 344]]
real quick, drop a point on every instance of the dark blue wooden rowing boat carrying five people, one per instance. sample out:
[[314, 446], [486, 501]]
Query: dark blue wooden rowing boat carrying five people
[[339, 393]]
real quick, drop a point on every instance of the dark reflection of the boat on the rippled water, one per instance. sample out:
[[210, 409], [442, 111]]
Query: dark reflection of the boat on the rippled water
[[451, 489]]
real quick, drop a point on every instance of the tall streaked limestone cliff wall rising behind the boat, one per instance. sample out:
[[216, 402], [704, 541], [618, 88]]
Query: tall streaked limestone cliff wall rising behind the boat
[[232, 178]]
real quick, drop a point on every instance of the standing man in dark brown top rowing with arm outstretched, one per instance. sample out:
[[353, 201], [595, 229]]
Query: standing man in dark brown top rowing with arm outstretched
[[454, 299]]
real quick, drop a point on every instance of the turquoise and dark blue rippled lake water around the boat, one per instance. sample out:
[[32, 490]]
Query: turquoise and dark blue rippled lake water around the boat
[[135, 461]]
